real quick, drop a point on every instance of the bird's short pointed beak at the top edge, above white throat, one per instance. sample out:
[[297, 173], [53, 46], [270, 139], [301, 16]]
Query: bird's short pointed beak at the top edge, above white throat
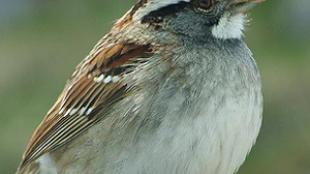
[[242, 6]]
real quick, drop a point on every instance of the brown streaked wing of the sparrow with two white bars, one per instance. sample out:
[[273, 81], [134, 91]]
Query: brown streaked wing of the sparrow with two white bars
[[95, 86]]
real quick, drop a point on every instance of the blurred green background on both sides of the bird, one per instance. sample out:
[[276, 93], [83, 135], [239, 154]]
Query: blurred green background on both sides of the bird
[[41, 41]]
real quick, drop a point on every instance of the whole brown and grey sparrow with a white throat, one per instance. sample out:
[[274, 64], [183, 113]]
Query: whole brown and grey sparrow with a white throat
[[172, 88]]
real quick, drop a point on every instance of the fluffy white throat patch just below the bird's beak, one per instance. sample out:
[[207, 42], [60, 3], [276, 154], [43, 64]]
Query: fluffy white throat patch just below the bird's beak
[[229, 27]]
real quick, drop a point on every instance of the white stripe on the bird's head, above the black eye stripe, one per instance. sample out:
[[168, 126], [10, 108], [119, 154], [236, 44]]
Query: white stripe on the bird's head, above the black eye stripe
[[154, 5]]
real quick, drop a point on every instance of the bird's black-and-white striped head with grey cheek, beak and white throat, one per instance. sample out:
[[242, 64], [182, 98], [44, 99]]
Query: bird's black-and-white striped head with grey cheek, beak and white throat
[[223, 19]]
